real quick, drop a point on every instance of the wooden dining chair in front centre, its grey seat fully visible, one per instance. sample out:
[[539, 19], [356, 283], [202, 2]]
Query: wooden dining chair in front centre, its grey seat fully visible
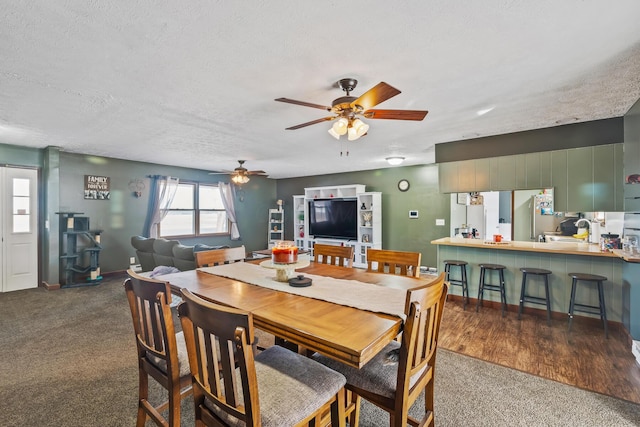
[[233, 386]]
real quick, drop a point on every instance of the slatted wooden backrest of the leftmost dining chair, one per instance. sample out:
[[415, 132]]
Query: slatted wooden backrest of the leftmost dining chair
[[149, 301]]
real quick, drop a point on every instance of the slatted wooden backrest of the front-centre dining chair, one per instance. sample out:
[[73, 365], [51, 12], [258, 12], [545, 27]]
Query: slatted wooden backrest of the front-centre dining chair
[[219, 339]]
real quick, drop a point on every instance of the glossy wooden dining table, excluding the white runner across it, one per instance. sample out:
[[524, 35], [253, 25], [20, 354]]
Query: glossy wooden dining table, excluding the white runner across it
[[350, 335]]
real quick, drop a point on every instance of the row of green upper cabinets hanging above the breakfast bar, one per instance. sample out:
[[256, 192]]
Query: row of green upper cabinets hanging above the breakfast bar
[[587, 179]]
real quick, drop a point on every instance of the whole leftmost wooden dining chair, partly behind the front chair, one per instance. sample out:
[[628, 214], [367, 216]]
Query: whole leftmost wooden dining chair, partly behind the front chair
[[161, 351]]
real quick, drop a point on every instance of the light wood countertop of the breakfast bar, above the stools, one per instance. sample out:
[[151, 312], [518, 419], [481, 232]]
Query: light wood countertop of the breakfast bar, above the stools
[[590, 249]]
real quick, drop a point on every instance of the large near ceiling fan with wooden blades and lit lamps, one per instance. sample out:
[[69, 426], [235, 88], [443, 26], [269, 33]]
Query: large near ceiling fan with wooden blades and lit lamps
[[347, 110]]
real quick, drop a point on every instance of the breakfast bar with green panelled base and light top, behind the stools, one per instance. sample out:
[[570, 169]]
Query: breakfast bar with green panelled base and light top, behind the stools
[[561, 258]]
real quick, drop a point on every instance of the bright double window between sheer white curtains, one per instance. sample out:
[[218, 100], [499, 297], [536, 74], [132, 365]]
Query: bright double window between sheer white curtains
[[196, 210]]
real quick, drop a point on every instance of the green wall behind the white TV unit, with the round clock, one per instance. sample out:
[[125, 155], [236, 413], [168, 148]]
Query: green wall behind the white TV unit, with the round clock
[[398, 231]]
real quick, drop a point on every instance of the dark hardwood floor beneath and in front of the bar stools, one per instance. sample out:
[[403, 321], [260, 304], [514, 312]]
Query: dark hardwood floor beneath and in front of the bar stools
[[582, 358]]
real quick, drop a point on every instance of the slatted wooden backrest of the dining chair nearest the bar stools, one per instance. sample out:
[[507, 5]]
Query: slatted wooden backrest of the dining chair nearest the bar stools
[[416, 360]]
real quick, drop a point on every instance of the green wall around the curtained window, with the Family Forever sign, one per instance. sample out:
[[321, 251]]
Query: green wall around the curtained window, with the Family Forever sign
[[124, 214]]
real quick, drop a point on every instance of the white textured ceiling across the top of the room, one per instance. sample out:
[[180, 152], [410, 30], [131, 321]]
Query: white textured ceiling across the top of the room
[[192, 83]]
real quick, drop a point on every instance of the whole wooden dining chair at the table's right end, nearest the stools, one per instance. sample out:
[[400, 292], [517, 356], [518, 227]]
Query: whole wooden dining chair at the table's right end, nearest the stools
[[396, 376]]
